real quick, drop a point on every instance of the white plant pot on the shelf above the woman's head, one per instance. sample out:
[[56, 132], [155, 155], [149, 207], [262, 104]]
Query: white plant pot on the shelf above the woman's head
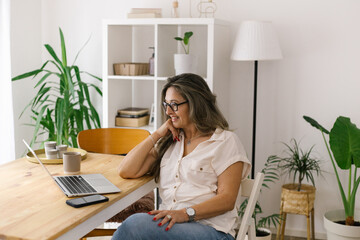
[[185, 63]]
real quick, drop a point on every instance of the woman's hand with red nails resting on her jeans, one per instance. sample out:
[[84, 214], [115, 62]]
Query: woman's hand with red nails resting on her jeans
[[169, 216]]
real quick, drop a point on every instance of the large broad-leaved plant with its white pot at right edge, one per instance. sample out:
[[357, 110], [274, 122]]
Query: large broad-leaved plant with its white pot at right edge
[[344, 140]]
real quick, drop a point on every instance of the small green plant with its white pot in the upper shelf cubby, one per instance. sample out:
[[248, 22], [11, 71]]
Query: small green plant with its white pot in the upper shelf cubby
[[185, 63]]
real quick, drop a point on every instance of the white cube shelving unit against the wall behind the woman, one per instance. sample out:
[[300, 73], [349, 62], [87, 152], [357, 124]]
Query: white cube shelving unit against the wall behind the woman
[[128, 40]]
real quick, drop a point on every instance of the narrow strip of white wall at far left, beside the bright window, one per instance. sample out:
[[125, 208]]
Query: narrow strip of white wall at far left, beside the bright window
[[25, 56]]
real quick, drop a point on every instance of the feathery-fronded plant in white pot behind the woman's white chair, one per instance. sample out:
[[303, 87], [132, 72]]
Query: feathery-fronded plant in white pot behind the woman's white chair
[[262, 224]]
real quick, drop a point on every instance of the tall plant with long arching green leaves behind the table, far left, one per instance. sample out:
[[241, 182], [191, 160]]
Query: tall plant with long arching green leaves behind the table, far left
[[62, 105]]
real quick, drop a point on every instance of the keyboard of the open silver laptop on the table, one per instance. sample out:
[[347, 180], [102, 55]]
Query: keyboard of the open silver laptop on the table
[[76, 185]]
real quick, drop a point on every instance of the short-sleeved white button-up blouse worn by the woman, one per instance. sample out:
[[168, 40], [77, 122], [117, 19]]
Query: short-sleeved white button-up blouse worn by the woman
[[190, 180]]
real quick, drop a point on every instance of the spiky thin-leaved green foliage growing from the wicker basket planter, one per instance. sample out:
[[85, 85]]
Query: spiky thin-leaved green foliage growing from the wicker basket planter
[[299, 163]]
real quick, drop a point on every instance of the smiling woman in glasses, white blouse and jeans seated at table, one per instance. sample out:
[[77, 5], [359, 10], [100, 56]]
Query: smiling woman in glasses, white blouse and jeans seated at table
[[198, 164]]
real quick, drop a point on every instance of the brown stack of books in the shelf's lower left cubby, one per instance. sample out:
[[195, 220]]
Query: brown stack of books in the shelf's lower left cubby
[[132, 117]]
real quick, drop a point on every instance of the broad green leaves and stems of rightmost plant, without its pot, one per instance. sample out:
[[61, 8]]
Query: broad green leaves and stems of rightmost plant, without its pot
[[344, 140]]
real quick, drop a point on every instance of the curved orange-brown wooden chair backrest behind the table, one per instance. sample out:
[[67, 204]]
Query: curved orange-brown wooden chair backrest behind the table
[[111, 140]]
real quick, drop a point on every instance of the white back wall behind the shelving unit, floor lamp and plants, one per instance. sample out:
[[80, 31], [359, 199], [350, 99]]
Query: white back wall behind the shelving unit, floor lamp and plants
[[317, 77]]
